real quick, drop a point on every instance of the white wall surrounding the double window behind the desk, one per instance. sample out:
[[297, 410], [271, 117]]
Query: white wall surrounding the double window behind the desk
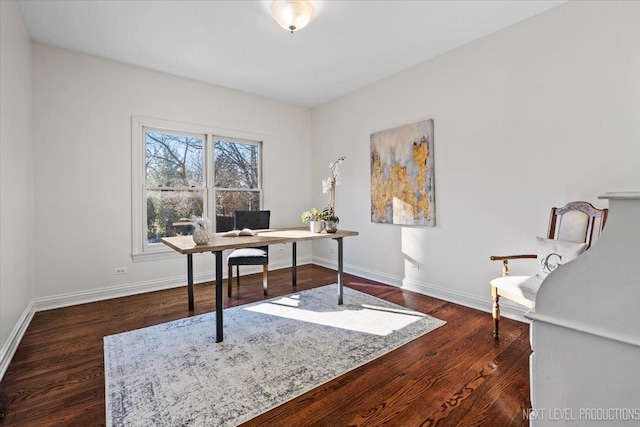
[[82, 110]]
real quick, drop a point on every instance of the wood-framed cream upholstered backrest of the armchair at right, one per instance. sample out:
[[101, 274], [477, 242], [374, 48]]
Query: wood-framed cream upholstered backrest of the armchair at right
[[577, 222]]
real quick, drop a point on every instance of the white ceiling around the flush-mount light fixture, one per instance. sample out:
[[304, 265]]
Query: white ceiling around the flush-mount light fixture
[[237, 44]]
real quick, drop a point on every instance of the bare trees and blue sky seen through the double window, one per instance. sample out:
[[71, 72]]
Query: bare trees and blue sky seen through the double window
[[176, 181]]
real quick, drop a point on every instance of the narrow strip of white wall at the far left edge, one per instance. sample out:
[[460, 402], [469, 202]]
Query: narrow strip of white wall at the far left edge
[[16, 177]]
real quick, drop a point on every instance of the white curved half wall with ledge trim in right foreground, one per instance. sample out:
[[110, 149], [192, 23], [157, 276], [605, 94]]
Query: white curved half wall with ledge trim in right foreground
[[585, 330]]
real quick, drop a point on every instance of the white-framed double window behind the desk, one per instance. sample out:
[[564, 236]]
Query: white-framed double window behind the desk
[[180, 170]]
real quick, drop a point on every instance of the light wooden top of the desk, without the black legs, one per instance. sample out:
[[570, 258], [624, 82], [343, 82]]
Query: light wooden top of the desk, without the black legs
[[186, 245]]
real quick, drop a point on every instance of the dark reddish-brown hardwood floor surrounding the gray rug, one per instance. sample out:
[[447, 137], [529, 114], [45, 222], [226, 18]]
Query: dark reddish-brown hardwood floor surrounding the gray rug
[[457, 375]]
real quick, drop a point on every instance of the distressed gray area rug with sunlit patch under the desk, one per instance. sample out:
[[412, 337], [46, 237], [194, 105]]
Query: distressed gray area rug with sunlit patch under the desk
[[174, 374]]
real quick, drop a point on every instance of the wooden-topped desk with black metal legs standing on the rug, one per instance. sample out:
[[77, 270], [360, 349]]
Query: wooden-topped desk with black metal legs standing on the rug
[[186, 246]]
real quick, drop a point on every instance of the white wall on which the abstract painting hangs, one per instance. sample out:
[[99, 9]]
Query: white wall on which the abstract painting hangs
[[533, 116]]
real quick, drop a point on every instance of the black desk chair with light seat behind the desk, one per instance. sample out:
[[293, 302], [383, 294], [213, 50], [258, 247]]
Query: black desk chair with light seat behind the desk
[[254, 220]]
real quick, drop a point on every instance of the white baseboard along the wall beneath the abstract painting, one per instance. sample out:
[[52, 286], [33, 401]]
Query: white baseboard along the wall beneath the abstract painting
[[507, 309]]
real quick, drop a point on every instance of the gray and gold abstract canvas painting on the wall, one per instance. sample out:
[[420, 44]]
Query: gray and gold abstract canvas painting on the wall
[[402, 178]]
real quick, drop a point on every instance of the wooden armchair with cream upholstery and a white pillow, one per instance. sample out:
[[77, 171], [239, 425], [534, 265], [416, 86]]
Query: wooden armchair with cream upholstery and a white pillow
[[572, 229]]
